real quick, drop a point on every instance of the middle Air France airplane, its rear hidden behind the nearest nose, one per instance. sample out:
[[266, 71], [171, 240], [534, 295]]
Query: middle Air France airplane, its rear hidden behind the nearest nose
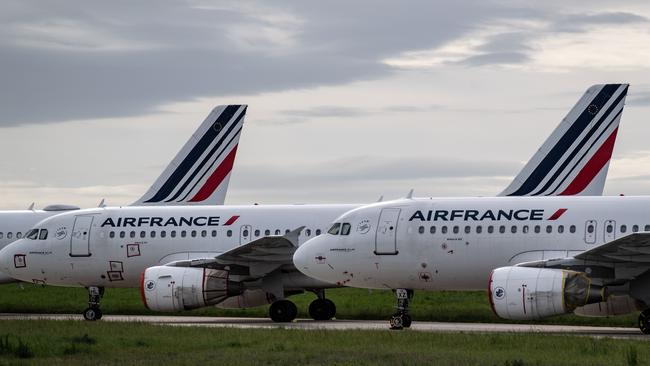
[[188, 257]]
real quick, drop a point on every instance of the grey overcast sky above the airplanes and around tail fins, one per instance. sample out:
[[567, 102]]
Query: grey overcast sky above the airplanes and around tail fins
[[348, 100]]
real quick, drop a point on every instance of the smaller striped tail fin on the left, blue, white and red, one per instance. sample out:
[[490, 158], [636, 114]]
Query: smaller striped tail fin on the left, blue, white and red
[[200, 172]]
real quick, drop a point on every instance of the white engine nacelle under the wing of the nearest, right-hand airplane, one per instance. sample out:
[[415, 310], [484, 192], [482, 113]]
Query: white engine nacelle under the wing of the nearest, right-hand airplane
[[522, 293]]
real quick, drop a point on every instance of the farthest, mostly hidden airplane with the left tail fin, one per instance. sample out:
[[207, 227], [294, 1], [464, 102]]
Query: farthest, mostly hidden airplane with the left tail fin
[[198, 175]]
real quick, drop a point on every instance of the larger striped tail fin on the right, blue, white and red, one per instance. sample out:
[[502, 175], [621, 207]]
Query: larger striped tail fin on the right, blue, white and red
[[574, 160]]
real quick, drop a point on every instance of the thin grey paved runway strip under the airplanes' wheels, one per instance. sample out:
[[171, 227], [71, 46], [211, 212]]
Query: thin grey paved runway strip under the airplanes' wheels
[[348, 324]]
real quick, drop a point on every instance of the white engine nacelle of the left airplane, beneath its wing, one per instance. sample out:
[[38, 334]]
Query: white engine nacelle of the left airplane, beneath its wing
[[169, 288]]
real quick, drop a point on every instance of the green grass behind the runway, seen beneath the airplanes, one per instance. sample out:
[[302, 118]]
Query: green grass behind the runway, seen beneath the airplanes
[[351, 304]]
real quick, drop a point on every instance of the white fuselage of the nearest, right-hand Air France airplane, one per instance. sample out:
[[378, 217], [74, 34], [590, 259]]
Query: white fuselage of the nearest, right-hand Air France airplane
[[454, 243]]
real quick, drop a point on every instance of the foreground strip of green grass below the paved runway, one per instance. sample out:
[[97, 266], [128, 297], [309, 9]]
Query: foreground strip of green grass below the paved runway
[[108, 343]]
